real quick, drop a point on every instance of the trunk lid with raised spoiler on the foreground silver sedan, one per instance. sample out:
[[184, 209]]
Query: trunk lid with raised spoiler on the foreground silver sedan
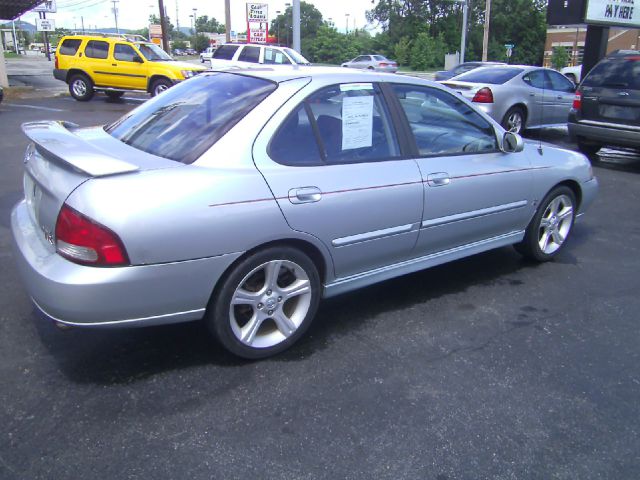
[[62, 157]]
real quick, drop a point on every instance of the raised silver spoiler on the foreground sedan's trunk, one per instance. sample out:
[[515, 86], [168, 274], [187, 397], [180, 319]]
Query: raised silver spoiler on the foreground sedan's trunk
[[56, 140]]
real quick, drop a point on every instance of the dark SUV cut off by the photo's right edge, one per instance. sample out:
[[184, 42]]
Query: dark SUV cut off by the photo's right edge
[[606, 109]]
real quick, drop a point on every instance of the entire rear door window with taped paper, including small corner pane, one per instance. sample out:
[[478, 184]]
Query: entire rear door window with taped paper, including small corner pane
[[350, 123]]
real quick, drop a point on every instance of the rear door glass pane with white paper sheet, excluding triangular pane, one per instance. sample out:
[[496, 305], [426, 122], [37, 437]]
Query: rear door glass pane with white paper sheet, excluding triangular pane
[[353, 124]]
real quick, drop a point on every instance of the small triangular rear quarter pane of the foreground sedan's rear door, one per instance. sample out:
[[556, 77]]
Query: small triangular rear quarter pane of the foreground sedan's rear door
[[294, 143]]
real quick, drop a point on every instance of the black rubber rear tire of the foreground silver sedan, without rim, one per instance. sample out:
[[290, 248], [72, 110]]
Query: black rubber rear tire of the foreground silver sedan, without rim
[[217, 317]]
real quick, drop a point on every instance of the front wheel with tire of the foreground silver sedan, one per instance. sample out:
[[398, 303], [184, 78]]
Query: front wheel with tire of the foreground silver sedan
[[550, 227]]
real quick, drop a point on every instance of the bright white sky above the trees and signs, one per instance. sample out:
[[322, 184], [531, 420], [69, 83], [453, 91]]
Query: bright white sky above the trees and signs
[[134, 14]]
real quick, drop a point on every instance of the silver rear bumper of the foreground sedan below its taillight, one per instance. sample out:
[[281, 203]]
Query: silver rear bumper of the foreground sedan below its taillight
[[104, 297]]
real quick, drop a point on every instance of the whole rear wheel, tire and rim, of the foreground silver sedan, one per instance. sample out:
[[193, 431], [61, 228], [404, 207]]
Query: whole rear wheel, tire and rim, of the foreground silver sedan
[[266, 303]]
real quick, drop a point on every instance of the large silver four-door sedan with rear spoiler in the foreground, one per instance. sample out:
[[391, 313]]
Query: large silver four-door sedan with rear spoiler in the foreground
[[244, 198]]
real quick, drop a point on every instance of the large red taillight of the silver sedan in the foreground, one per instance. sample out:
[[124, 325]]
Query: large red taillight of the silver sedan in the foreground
[[81, 240]]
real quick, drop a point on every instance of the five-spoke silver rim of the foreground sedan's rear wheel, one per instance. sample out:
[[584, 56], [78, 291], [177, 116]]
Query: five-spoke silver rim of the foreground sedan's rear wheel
[[270, 303]]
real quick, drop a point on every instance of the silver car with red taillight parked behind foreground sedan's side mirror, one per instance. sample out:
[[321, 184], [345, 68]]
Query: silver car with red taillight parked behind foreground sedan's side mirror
[[519, 97]]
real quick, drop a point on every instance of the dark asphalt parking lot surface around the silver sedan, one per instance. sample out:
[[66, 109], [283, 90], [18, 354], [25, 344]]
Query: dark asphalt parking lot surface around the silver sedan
[[487, 368]]
